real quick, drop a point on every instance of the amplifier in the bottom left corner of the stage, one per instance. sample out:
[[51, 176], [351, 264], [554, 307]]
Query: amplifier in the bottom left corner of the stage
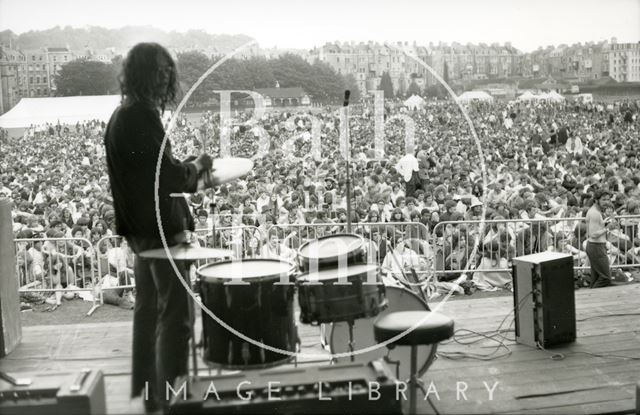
[[57, 393]]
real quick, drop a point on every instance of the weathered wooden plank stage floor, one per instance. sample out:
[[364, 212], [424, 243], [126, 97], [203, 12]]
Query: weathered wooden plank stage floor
[[529, 380]]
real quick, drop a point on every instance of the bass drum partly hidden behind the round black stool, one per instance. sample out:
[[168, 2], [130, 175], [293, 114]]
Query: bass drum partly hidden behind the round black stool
[[398, 299]]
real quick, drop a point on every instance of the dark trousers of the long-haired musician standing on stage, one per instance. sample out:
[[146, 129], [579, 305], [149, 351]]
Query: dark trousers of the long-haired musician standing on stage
[[161, 327]]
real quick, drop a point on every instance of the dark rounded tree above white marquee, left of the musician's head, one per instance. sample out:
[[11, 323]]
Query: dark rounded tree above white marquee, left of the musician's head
[[84, 77]]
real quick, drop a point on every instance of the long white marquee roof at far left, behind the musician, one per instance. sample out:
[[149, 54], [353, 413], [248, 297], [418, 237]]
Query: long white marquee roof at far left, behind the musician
[[63, 110]]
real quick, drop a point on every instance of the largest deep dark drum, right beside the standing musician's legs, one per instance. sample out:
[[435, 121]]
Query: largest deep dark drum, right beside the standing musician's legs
[[259, 309]]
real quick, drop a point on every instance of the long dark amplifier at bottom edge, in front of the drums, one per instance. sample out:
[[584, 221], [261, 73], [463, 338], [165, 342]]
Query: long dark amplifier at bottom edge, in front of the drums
[[367, 388]]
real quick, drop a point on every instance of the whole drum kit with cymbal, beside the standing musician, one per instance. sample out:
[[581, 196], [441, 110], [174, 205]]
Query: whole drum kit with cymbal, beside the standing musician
[[335, 286]]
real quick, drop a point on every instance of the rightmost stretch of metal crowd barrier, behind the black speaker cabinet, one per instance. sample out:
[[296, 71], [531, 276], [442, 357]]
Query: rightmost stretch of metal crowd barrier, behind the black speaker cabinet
[[502, 240]]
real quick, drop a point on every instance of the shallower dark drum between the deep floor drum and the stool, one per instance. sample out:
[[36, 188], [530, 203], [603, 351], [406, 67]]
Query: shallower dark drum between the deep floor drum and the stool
[[345, 294]]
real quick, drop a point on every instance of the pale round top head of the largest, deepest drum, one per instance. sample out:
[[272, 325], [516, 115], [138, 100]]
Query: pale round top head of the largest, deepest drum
[[248, 269]]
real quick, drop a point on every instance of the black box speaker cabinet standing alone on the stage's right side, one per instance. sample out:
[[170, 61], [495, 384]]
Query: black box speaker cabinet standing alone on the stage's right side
[[544, 299]]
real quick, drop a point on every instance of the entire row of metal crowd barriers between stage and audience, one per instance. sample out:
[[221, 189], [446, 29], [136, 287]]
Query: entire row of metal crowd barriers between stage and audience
[[72, 266]]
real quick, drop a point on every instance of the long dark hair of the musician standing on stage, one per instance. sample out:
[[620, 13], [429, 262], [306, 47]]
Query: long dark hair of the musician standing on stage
[[139, 77]]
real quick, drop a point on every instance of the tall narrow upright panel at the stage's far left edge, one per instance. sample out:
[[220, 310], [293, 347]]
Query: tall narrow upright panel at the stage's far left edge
[[10, 328]]
